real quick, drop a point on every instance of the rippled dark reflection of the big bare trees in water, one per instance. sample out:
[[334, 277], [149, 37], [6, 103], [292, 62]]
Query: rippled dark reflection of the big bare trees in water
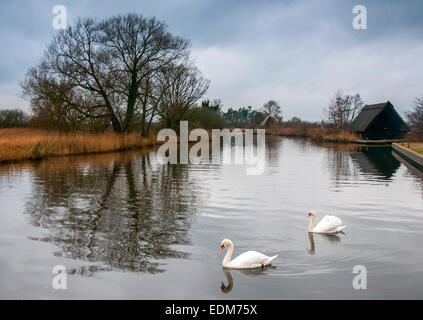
[[123, 210]]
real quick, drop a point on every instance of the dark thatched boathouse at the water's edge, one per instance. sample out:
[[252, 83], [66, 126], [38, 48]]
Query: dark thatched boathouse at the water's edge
[[379, 122]]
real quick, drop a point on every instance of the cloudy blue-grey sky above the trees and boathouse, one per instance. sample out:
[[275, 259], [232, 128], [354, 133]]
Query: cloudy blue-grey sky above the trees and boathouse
[[298, 53]]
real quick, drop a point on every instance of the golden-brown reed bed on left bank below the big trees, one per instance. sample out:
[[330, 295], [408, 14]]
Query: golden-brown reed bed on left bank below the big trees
[[25, 144]]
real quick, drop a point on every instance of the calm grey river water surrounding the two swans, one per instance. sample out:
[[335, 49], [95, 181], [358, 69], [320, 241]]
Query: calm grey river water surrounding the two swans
[[127, 227]]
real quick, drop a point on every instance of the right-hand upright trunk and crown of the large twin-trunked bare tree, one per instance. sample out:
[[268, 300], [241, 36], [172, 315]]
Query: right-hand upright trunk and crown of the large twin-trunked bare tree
[[142, 47]]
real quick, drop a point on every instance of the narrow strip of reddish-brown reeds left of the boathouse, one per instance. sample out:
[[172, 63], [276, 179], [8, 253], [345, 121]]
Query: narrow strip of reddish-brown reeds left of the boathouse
[[317, 134]]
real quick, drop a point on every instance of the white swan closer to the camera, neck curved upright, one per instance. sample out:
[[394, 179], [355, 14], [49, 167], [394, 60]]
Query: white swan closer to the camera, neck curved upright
[[247, 260]]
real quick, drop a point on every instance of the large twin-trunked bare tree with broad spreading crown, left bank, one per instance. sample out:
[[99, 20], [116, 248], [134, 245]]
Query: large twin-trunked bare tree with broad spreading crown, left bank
[[105, 63]]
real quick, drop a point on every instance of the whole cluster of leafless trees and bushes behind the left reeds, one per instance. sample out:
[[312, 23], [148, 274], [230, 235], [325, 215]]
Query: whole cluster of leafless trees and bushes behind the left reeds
[[122, 72]]
